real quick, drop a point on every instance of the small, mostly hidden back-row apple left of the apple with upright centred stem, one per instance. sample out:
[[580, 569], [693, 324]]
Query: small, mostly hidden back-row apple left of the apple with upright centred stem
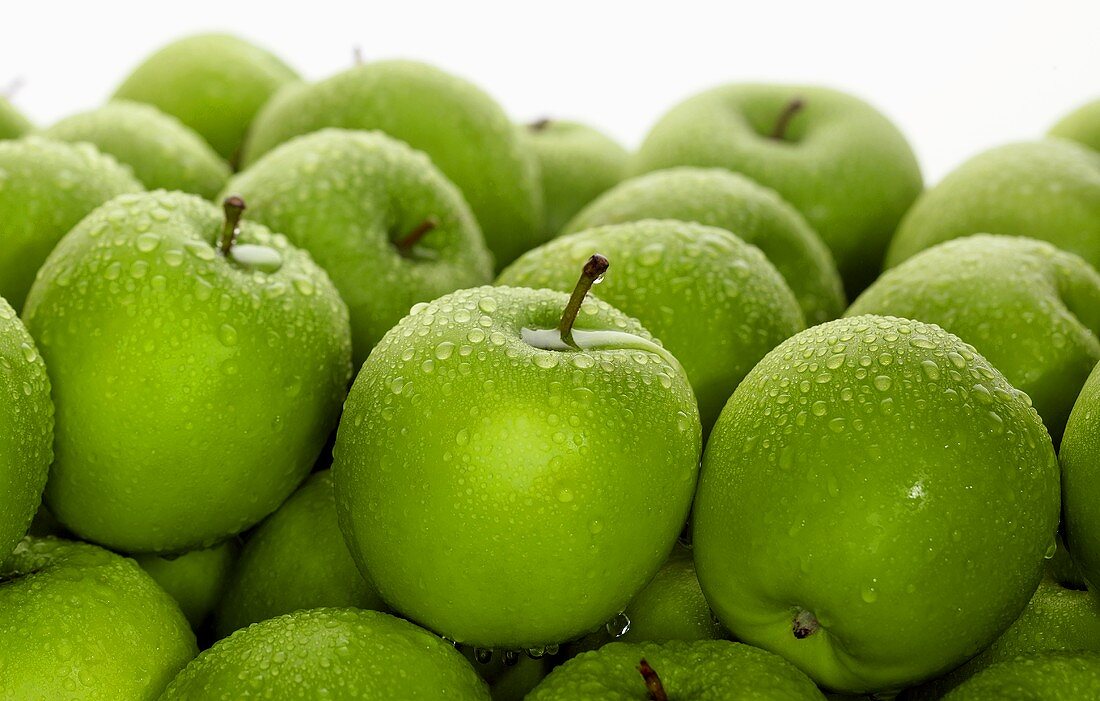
[[577, 165]]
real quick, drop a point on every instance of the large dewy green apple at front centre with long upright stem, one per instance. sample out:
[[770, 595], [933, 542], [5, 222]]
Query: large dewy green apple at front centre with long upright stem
[[511, 481]]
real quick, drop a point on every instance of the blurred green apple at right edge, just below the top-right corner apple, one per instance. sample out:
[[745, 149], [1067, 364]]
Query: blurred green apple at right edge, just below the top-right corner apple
[[1044, 190]]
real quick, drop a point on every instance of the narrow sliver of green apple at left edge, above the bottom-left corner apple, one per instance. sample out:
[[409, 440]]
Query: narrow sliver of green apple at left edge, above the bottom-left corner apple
[[27, 426]]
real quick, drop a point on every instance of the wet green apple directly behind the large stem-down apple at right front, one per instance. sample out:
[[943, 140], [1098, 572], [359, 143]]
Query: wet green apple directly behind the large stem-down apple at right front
[[1031, 310]]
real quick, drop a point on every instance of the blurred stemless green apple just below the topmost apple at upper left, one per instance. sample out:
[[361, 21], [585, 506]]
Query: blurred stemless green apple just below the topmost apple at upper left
[[161, 151]]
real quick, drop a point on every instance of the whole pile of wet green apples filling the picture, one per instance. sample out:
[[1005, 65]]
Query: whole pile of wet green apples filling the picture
[[318, 379]]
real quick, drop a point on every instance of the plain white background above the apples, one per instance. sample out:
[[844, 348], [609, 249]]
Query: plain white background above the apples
[[959, 78]]
